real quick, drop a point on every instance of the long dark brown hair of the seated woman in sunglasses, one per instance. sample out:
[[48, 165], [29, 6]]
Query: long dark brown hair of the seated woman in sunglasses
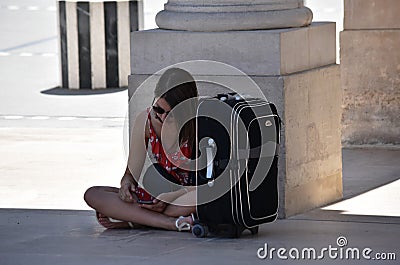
[[175, 86]]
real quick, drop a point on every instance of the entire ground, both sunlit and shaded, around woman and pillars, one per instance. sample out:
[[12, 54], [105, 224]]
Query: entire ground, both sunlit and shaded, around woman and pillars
[[55, 143]]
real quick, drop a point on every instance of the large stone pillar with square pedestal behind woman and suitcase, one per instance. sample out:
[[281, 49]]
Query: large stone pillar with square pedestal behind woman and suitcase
[[295, 68]]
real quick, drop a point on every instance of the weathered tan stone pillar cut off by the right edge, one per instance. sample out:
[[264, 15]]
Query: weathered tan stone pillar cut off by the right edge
[[370, 69]]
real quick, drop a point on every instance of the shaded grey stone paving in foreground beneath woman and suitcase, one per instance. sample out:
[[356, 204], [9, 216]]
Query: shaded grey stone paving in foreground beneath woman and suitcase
[[73, 237]]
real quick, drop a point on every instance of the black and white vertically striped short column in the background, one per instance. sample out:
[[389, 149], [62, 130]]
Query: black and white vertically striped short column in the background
[[95, 41]]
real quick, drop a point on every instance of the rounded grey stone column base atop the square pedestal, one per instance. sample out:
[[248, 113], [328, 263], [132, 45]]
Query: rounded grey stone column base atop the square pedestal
[[225, 15]]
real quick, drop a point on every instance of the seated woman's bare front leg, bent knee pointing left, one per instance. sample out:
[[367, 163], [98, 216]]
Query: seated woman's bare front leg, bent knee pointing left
[[106, 201]]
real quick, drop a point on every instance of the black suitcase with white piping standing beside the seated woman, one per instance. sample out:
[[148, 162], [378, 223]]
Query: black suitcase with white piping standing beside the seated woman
[[236, 170]]
